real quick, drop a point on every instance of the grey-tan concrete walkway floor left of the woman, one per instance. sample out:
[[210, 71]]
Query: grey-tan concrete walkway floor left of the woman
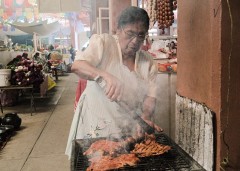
[[40, 143]]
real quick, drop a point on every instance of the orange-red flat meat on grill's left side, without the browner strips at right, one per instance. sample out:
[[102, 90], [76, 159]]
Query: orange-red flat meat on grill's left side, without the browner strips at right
[[107, 155]]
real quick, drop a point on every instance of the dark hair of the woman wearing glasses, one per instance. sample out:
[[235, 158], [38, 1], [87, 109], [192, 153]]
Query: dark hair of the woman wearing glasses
[[132, 15]]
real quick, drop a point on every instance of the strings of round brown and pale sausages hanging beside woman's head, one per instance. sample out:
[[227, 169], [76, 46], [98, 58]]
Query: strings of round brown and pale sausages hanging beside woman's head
[[161, 11]]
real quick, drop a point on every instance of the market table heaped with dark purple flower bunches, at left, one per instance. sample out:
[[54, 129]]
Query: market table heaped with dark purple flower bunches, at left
[[26, 73]]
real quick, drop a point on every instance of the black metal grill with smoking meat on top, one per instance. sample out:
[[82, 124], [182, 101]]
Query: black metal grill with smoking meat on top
[[174, 160]]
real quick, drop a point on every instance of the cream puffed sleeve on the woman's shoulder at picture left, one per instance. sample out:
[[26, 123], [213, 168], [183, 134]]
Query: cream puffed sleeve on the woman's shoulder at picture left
[[94, 52]]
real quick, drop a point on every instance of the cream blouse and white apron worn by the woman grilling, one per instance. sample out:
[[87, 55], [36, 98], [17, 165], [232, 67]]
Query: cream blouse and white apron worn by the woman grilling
[[96, 115]]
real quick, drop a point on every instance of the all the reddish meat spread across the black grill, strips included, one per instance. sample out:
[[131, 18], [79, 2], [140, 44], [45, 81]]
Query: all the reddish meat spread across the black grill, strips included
[[108, 155]]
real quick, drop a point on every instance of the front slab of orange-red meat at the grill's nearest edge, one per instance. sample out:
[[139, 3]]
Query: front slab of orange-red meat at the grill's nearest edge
[[108, 163]]
